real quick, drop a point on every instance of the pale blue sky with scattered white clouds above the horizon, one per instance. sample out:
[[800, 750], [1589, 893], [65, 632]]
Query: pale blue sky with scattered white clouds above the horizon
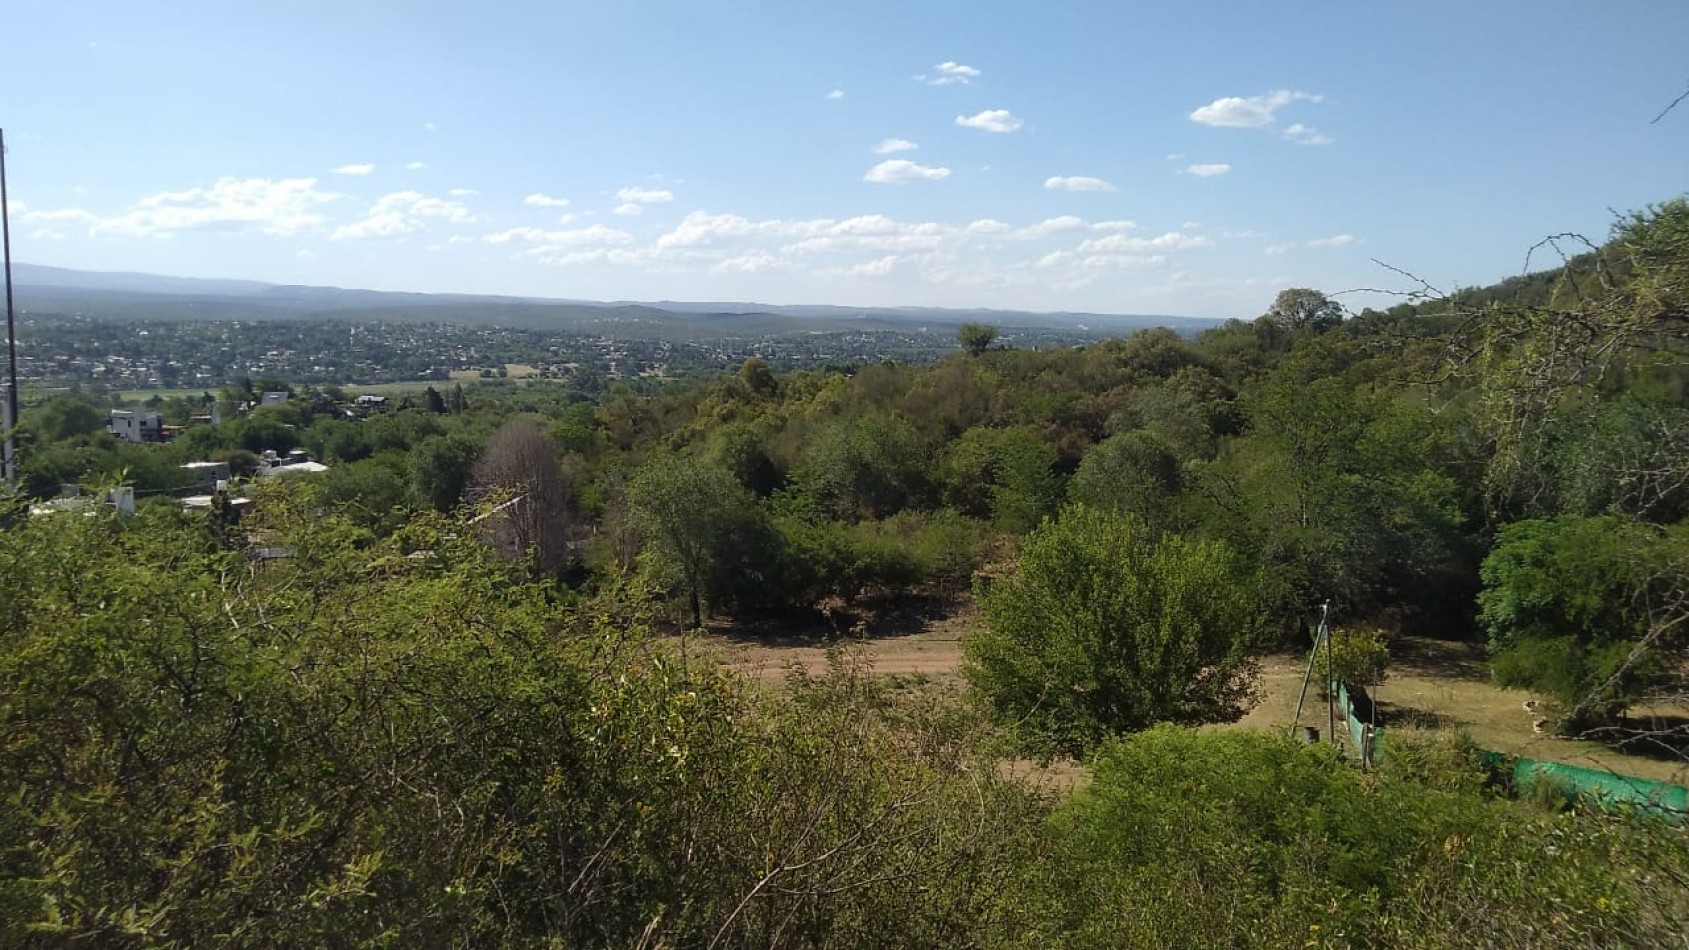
[[1126, 158]]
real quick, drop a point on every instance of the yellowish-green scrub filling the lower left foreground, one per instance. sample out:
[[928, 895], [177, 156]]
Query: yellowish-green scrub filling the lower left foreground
[[406, 745]]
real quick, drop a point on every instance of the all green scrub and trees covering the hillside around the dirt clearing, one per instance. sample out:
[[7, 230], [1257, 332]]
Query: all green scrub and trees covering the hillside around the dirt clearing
[[426, 697]]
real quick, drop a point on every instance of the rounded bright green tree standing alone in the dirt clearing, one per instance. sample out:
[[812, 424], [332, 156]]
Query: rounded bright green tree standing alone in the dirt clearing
[[1105, 630]]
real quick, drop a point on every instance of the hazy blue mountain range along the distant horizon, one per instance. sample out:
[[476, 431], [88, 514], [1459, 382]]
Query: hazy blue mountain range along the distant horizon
[[151, 297]]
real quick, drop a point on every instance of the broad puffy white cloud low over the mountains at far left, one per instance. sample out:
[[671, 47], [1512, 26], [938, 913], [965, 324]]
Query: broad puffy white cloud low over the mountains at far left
[[283, 207]]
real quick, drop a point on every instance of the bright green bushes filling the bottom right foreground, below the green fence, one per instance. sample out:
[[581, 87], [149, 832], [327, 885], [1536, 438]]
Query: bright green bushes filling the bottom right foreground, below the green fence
[[1236, 839]]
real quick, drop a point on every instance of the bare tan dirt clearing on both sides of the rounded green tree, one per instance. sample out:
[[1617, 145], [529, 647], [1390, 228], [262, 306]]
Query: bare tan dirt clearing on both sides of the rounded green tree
[[1433, 684]]
